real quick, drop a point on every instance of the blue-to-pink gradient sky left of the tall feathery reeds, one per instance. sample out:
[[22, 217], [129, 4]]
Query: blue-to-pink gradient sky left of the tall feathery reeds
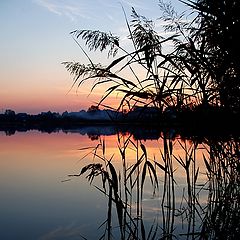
[[35, 40]]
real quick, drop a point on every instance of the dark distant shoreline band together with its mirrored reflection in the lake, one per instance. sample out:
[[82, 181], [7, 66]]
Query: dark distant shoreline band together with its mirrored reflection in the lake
[[142, 125]]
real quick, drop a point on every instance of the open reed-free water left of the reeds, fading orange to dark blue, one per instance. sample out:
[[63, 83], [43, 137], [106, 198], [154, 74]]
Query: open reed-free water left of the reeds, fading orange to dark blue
[[35, 203]]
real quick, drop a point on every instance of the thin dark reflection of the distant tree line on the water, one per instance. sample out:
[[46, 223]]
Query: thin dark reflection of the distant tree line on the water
[[140, 132]]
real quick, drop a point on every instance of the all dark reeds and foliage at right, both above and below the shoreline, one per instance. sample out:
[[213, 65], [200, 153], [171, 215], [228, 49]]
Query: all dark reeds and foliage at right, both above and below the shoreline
[[191, 74]]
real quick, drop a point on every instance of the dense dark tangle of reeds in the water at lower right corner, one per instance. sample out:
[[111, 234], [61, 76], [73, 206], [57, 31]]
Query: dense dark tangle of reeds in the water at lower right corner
[[222, 220]]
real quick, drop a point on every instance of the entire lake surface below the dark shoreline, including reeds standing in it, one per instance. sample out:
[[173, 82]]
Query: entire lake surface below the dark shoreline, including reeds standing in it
[[169, 188]]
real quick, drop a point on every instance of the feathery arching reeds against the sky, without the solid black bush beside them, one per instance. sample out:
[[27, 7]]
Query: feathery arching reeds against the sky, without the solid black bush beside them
[[164, 80]]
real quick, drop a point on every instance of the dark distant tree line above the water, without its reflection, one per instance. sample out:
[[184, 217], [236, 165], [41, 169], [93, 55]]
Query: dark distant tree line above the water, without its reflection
[[201, 118]]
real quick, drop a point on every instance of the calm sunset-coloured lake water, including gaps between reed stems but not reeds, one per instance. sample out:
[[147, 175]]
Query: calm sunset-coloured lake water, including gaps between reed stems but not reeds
[[39, 200]]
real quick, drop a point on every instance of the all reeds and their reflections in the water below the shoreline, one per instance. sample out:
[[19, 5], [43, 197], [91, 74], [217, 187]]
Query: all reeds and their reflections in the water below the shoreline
[[211, 218]]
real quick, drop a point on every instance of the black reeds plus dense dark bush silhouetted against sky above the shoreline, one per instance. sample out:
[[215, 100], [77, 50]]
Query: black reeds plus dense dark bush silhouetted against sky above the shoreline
[[200, 68]]
